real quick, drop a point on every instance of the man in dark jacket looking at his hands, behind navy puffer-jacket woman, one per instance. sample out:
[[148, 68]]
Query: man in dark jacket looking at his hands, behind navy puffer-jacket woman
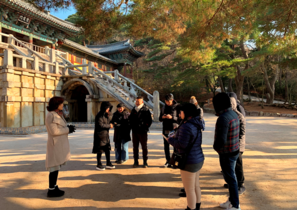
[[169, 117]]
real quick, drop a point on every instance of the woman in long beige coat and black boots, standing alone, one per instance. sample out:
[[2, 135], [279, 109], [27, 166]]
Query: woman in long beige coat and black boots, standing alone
[[58, 151]]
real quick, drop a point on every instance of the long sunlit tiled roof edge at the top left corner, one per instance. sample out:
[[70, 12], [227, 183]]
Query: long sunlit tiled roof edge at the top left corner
[[25, 6]]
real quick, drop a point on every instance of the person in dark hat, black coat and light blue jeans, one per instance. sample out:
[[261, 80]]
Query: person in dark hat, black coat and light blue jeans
[[122, 130]]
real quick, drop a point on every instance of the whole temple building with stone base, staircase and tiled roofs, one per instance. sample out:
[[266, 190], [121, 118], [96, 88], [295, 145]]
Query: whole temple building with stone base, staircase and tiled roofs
[[37, 62]]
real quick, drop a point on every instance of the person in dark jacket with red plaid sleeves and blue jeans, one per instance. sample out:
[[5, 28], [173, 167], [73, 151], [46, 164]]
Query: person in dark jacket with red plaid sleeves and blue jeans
[[226, 143]]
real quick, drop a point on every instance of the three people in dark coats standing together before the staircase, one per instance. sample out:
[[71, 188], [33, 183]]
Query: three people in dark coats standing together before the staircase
[[139, 120]]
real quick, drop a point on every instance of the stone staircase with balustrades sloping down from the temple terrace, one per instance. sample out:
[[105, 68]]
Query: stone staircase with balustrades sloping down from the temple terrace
[[113, 83]]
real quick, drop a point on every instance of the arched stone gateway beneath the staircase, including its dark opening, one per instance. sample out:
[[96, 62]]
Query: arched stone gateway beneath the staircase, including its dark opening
[[82, 98]]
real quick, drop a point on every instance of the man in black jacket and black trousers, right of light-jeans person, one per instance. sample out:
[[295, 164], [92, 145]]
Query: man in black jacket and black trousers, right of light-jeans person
[[140, 120]]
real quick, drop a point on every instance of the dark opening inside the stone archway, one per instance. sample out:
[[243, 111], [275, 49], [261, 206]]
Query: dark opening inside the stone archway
[[81, 108]]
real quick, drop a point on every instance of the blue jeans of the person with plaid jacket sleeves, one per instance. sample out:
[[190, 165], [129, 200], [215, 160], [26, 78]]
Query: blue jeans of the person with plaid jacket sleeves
[[228, 167]]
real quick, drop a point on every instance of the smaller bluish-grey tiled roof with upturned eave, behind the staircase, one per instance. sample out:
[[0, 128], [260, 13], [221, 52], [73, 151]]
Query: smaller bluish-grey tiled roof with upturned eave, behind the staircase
[[115, 47]]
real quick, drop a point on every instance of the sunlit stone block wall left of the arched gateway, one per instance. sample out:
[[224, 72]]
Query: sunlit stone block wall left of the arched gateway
[[24, 95]]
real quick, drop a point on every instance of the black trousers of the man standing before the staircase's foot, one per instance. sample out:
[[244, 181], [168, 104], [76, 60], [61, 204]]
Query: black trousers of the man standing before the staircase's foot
[[142, 139]]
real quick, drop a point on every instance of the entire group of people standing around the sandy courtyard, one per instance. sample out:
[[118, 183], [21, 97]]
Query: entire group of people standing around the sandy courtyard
[[182, 128]]
